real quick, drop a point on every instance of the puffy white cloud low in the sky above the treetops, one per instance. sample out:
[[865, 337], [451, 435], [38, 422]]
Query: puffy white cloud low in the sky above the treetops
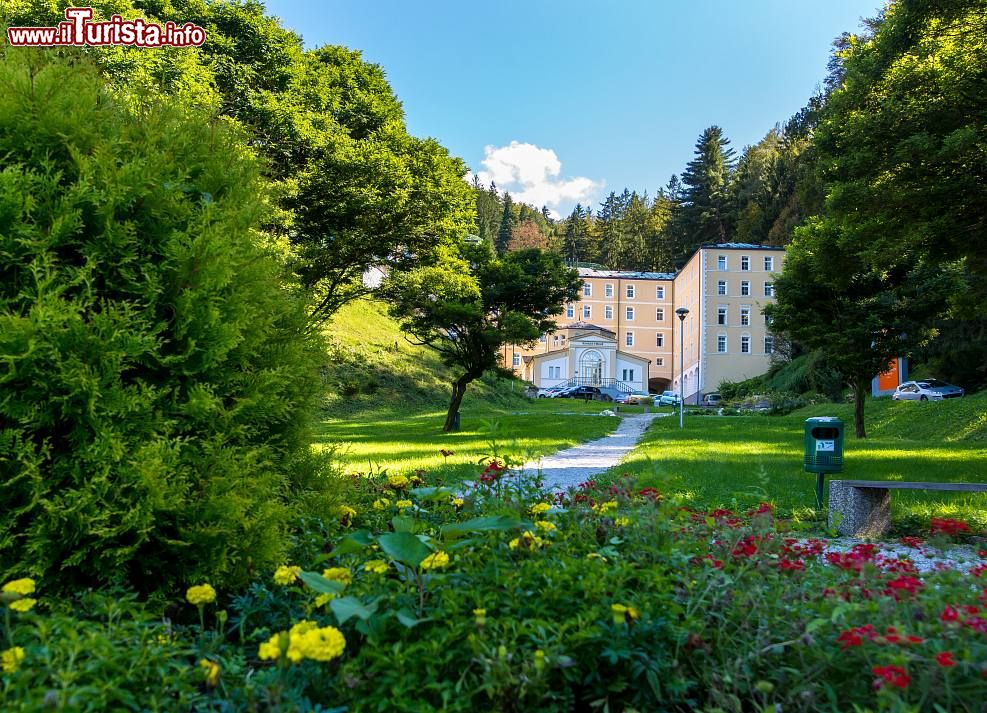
[[531, 174]]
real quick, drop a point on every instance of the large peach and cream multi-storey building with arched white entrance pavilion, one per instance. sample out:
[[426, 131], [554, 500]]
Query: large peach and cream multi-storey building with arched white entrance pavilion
[[630, 317]]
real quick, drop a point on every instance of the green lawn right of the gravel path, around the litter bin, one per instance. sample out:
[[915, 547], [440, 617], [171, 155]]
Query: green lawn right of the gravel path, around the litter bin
[[737, 461]]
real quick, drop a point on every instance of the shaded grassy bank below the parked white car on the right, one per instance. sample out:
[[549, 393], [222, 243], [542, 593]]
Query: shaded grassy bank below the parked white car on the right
[[955, 420]]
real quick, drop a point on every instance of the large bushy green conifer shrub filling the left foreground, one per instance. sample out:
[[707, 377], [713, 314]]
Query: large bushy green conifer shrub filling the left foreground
[[155, 383]]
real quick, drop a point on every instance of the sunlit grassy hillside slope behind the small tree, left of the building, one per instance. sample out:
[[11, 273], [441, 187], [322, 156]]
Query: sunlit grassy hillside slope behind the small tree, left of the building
[[373, 368]]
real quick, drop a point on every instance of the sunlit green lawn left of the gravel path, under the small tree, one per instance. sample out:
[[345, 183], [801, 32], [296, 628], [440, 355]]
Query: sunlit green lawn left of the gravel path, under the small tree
[[402, 445]]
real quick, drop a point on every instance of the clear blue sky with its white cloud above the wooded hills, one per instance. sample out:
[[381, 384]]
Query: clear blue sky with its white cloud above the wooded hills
[[566, 101]]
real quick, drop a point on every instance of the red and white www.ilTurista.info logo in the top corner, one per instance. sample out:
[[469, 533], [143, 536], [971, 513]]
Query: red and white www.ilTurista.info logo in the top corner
[[79, 30]]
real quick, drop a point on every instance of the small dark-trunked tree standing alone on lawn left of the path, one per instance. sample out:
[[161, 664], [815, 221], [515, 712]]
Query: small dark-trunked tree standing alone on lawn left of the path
[[473, 303]]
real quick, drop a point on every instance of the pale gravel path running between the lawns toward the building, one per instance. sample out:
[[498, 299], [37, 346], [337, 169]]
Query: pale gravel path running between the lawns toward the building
[[575, 465]]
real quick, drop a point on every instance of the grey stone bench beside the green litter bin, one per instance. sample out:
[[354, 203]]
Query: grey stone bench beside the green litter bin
[[865, 505]]
